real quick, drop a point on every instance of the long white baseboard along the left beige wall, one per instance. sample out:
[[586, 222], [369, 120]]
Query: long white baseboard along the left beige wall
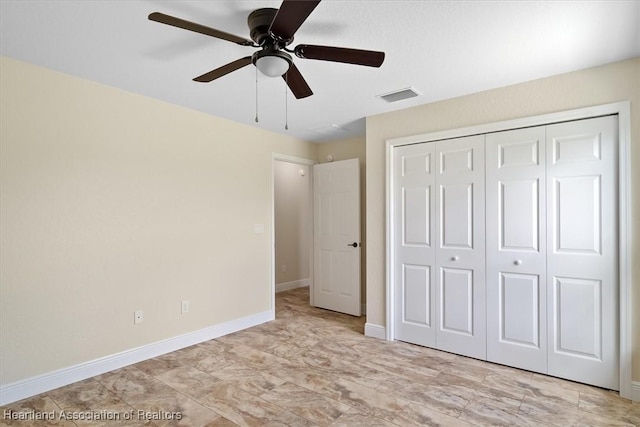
[[31, 386]]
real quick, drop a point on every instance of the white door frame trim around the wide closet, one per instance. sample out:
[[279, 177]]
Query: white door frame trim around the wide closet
[[623, 111]]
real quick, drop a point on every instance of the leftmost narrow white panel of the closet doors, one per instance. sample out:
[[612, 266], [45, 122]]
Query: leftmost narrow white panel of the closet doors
[[414, 250]]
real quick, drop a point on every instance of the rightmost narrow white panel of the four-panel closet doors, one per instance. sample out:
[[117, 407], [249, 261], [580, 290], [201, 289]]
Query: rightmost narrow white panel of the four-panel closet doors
[[582, 278]]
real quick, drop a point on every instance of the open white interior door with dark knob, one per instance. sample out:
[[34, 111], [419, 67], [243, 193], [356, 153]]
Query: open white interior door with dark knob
[[336, 195]]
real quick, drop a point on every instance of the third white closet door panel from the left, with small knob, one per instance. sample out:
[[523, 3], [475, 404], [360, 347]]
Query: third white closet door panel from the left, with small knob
[[516, 249]]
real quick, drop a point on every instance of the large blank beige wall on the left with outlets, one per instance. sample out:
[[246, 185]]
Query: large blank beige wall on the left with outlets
[[112, 202]]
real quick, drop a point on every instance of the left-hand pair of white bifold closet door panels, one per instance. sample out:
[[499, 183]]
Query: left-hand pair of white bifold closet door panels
[[439, 271]]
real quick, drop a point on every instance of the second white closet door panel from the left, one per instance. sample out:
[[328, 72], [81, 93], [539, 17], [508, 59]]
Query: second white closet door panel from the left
[[460, 262]]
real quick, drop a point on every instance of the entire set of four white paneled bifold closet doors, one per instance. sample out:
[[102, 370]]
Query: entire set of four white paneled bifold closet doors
[[549, 299]]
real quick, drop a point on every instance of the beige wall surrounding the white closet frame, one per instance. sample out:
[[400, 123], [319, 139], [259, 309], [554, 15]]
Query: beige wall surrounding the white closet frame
[[601, 85]]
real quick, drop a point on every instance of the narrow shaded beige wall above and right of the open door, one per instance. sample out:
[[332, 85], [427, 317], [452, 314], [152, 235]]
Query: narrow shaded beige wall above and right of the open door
[[352, 148]]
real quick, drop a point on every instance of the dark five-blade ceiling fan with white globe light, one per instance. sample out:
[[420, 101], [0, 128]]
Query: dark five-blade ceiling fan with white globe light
[[272, 30]]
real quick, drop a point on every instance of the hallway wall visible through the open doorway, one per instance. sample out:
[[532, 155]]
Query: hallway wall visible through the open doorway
[[293, 221]]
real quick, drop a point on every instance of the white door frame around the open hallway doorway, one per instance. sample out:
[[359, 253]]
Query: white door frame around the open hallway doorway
[[277, 157]]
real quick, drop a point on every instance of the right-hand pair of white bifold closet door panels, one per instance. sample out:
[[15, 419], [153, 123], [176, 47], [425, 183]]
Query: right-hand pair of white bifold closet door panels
[[552, 250]]
